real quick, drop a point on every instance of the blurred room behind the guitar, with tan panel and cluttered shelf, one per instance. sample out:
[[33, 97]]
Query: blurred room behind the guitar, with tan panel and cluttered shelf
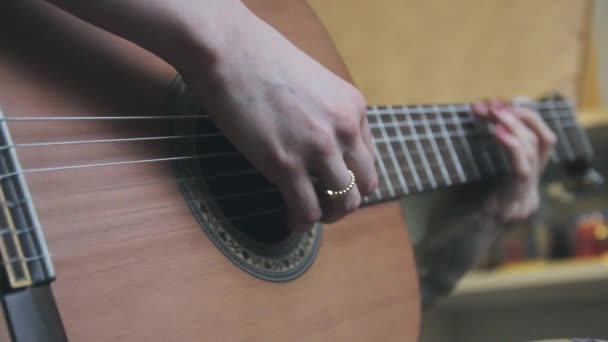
[[549, 277]]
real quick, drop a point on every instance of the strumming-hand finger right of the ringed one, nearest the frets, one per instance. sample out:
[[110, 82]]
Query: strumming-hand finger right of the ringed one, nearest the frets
[[361, 162]]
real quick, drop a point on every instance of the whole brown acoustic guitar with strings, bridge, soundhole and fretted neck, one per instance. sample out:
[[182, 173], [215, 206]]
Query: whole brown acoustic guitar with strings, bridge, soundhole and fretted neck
[[119, 193]]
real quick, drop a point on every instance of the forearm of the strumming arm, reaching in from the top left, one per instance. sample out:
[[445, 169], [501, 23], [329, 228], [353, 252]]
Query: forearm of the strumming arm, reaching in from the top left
[[177, 31]]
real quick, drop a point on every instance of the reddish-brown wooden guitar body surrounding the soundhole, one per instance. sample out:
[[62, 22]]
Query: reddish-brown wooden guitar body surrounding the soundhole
[[132, 262]]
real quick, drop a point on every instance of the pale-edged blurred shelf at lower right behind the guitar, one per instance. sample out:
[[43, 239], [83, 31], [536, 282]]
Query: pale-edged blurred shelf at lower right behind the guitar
[[532, 283]]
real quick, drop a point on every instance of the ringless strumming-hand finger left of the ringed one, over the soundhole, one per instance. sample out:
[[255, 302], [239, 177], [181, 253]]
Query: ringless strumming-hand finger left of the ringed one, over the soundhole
[[303, 207]]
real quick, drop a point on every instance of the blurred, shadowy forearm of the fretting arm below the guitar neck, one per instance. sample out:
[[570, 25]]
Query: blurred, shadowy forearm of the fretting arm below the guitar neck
[[458, 236]]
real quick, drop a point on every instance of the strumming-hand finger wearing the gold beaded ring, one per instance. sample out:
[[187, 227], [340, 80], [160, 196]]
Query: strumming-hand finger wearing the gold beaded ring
[[334, 176]]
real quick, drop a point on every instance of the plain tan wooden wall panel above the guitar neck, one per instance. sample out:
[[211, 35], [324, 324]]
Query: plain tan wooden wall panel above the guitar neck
[[412, 51]]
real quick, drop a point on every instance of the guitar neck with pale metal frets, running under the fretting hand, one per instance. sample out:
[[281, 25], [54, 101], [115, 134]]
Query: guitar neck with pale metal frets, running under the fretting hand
[[428, 147]]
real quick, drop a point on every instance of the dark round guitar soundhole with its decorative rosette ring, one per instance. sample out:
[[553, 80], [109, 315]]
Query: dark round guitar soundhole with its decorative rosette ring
[[240, 211]]
